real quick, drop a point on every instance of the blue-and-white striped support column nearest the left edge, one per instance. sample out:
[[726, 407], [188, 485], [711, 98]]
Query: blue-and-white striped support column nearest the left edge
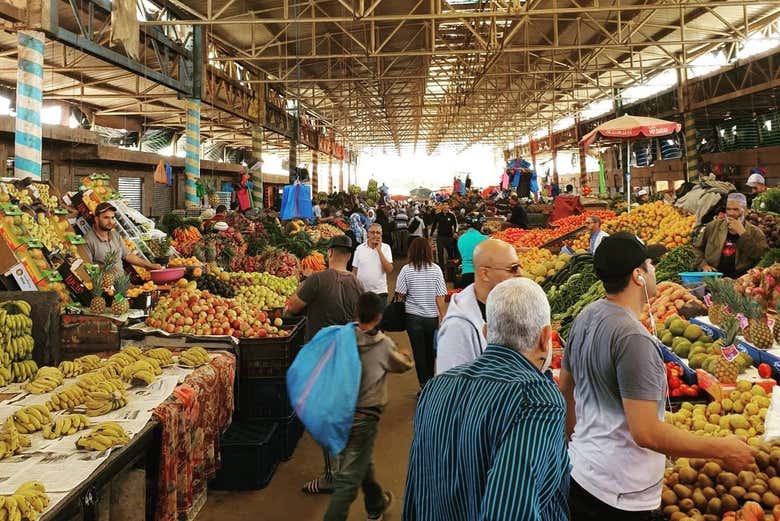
[[28, 137]]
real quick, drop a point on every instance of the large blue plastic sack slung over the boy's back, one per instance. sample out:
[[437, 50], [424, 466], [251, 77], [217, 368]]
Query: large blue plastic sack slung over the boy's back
[[323, 384]]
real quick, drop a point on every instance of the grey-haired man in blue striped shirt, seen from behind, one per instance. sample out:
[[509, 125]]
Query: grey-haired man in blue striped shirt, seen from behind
[[489, 441]]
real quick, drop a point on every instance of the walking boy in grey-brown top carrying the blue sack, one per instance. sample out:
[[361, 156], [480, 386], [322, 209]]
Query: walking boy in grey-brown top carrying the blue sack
[[378, 356]]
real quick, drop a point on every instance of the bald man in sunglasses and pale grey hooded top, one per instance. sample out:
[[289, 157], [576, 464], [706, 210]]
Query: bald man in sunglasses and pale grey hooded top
[[462, 331]]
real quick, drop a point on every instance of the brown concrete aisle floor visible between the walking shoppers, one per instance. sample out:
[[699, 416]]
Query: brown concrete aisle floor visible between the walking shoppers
[[282, 499]]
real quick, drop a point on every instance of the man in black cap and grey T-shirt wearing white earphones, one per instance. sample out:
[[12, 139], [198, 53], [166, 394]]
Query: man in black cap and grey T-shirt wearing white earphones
[[614, 382]]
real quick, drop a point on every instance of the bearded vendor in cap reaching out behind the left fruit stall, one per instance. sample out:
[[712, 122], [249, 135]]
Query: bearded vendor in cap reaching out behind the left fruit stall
[[103, 238]]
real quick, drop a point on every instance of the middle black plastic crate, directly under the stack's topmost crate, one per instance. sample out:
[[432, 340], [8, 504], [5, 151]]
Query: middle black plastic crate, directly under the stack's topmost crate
[[263, 398]]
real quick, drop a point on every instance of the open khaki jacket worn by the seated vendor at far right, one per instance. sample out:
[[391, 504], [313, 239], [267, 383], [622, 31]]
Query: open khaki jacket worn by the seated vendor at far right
[[751, 246]]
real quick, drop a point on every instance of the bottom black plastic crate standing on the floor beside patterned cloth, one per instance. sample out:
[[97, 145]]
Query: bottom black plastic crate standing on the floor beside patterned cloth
[[250, 454]]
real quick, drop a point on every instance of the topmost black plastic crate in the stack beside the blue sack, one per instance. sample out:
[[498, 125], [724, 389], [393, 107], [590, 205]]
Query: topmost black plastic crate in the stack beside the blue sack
[[270, 357]]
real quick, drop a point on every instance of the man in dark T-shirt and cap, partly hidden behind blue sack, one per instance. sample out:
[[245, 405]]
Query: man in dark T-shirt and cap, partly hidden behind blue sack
[[329, 298]]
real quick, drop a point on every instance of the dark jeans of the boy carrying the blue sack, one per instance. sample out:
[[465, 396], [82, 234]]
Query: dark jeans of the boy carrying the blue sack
[[356, 469]]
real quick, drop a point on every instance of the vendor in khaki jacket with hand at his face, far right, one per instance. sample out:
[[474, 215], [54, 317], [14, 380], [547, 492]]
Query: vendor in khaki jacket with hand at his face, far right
[[730, 245]]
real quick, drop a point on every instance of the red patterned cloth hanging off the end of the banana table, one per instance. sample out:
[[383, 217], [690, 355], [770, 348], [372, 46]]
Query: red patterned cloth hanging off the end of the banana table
[[193, 418]]
